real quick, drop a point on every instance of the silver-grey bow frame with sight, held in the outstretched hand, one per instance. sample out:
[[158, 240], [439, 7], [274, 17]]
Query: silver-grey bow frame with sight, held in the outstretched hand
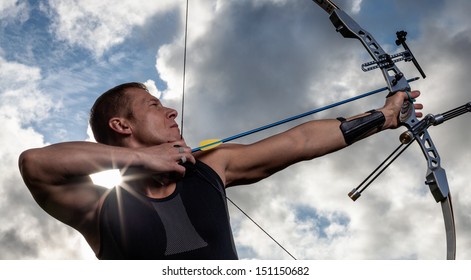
[[436, 176]]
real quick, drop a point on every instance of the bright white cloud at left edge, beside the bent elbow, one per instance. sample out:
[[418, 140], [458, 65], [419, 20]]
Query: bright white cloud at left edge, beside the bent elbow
[[26, 232]]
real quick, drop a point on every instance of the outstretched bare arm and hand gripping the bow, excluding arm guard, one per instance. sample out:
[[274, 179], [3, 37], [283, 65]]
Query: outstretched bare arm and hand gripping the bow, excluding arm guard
[[243, 164]]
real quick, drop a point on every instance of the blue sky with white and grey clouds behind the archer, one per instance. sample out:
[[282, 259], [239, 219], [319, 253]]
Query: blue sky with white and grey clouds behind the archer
[[249, 63]]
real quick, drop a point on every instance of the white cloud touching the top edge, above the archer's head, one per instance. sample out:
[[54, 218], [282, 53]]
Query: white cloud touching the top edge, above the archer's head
[[100, 25]]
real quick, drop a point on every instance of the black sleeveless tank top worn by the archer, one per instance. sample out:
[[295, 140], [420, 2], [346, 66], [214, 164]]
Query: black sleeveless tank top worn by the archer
[[191, 223]]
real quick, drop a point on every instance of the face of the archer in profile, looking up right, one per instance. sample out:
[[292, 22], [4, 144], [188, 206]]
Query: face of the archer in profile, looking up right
[[152, 123]]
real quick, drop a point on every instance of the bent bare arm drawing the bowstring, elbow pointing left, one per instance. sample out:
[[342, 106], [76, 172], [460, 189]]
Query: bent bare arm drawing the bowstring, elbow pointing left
[[57, 177]]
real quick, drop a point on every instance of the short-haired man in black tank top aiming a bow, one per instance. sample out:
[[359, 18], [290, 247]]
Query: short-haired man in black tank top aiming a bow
[[172, 203]]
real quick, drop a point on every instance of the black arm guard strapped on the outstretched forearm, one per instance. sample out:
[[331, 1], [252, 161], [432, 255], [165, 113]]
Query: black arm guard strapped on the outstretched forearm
[[356, 129]]
